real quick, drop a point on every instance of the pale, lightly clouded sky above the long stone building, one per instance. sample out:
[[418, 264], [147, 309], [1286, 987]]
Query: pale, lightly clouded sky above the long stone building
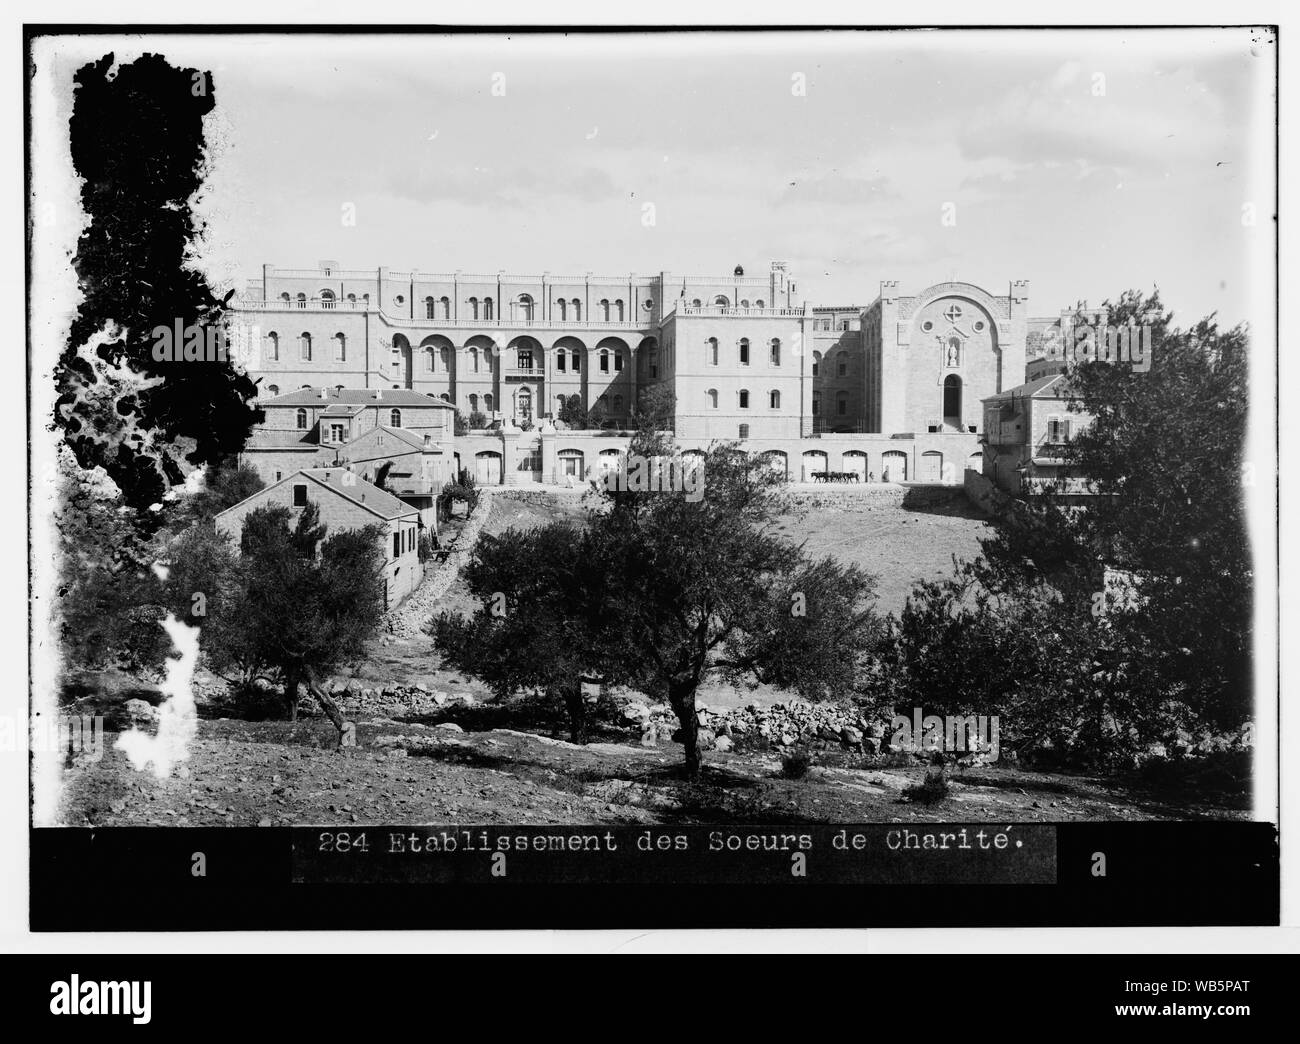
[[1084, 194]]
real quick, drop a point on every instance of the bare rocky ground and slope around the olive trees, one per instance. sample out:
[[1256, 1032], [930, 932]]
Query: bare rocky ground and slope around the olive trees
[[432, 747]]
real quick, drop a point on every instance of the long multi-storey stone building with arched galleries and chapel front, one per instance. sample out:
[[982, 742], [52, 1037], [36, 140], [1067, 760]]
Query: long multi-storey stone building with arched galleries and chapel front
[[743, 357]]
